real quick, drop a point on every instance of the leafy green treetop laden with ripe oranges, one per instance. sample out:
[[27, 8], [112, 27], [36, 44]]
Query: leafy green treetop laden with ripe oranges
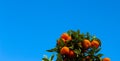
[[73, 46]]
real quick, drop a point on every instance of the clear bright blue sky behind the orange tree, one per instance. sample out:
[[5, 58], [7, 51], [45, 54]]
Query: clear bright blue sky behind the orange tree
[[29, 27]]
